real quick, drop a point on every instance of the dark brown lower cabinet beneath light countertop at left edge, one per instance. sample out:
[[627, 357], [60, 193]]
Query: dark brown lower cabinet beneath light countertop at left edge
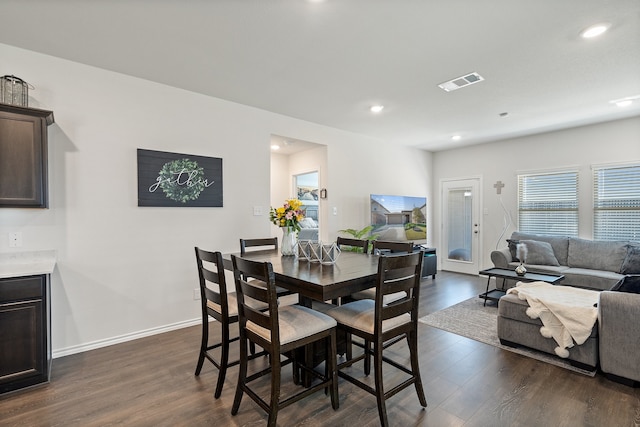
[[25, 348]]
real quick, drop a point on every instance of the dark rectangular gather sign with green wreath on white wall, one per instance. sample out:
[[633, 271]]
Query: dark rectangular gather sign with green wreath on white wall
[[171, 179]]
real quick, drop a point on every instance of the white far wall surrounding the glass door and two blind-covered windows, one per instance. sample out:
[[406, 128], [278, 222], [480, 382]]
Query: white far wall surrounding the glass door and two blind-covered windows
[[582, 147]]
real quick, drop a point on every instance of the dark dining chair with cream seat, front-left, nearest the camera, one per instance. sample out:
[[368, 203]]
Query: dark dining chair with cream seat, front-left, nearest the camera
[[280, 331]]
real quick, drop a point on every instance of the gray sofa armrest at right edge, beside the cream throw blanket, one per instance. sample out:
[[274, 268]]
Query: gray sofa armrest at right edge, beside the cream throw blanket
[[619, 334]]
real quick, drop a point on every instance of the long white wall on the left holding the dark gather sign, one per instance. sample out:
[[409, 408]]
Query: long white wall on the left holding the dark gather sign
[[125, 271]]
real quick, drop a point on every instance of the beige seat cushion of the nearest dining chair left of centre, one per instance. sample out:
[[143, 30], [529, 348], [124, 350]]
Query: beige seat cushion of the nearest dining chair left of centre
[[295, 322]]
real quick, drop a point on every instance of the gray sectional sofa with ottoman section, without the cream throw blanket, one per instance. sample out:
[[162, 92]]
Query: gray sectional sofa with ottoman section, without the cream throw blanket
[[614, 344]]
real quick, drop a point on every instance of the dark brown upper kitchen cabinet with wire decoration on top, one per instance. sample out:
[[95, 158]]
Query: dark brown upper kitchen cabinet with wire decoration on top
[[23, 156]]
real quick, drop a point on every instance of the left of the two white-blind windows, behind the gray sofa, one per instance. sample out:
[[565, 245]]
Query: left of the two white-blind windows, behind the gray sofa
[[548, 203]]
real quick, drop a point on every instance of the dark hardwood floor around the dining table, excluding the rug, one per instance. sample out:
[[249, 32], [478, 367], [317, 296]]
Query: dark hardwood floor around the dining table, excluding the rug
[[150, 382]]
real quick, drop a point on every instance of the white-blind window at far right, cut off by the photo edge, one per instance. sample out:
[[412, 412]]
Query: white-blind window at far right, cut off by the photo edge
[[616, 203]]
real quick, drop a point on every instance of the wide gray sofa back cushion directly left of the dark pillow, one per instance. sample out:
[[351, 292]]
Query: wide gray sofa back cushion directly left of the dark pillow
[[596, 254]]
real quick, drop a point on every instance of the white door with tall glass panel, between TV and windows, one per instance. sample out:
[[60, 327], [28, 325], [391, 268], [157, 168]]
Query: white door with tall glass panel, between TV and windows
[[461, 225]]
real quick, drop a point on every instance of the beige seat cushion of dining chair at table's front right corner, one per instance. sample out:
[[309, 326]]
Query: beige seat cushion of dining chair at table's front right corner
[[360, 315]]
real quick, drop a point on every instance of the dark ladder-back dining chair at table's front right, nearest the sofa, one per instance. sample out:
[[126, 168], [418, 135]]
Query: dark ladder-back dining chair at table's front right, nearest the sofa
[[382, 324]]
